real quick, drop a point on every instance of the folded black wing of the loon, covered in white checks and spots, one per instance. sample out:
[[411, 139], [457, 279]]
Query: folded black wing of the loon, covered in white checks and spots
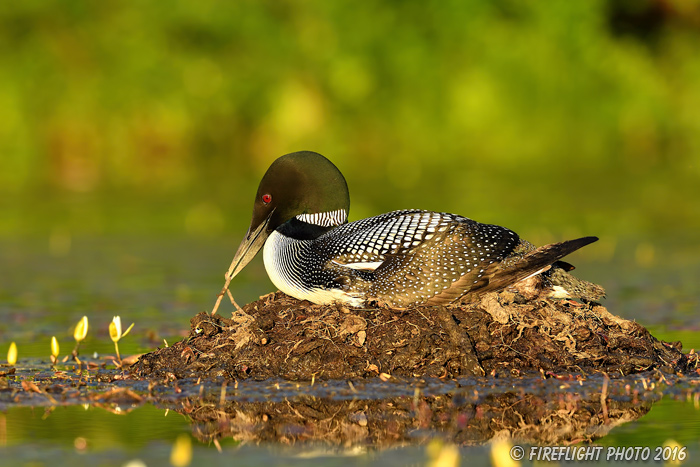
[[413, 256]]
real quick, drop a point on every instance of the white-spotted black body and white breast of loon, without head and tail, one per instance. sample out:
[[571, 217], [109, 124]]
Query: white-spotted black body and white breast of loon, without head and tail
[[402, 257]]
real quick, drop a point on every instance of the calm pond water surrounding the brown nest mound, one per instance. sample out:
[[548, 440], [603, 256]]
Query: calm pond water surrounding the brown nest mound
[[160, 283]]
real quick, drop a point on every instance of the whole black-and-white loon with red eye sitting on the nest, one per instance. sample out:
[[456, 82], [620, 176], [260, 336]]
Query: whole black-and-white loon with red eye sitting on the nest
[[399, 258]]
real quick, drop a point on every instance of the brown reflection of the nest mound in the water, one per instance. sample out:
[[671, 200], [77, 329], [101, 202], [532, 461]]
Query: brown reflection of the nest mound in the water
[[539, 412]]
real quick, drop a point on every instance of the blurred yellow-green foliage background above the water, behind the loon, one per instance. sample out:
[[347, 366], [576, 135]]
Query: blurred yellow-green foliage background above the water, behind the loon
[[554, 118]]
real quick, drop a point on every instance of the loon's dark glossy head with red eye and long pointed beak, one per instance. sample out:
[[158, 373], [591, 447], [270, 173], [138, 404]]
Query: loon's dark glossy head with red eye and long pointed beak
[[297, 185]]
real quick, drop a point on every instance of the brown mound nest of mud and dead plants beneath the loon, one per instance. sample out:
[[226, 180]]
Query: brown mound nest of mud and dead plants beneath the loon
[[498, 334]]
